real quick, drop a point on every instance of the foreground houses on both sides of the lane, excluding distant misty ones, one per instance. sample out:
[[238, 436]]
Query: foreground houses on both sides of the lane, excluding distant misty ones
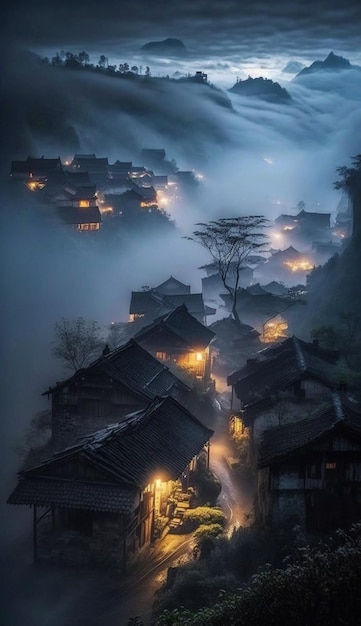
[[125, 440]]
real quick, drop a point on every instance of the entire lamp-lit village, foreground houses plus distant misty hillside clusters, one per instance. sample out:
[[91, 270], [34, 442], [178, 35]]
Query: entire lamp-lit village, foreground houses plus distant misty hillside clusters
[[128, 457]]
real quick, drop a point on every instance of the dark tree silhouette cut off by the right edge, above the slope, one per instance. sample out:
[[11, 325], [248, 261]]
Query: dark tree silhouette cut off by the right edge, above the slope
[[350, 182]]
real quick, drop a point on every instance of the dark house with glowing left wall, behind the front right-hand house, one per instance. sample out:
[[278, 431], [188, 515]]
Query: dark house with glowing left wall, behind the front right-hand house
[[285, 384]]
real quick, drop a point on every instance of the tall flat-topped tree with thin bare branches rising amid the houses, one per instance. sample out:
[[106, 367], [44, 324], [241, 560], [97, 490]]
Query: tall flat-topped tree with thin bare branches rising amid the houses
[[230, 241]]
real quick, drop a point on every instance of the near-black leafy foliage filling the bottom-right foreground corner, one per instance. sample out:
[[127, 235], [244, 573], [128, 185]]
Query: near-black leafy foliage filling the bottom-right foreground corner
[[318, 587]]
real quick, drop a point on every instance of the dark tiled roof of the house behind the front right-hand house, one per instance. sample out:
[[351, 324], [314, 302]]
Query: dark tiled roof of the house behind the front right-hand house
[[281, 366]]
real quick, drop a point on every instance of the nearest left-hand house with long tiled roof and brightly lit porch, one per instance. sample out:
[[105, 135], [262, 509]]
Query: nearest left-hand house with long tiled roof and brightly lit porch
[[100, 499]]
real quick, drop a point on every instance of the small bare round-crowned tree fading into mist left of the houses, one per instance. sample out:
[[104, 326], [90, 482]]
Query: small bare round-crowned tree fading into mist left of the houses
[[77, 342]]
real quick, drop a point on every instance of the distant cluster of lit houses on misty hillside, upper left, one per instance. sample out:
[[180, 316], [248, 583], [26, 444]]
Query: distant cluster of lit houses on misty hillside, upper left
[[87, 190]]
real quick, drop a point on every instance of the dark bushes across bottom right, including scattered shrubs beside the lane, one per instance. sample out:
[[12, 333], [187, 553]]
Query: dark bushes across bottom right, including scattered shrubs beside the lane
[[317, 586]]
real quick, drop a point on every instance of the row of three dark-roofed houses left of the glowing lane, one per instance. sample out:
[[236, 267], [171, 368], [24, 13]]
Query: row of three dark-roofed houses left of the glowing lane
[[125, 443]]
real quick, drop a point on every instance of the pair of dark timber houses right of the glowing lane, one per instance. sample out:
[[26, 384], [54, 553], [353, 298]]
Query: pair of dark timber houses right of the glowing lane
[[303, 425]]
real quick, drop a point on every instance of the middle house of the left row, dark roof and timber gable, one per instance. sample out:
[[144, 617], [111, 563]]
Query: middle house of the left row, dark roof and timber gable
[[123, 380]]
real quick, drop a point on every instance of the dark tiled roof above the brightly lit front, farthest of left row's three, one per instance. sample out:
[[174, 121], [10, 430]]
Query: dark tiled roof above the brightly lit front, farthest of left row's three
[[182, 325]]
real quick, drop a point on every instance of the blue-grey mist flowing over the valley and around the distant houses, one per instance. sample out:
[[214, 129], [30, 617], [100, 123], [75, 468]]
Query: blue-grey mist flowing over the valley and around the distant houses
[[255, 158]]
